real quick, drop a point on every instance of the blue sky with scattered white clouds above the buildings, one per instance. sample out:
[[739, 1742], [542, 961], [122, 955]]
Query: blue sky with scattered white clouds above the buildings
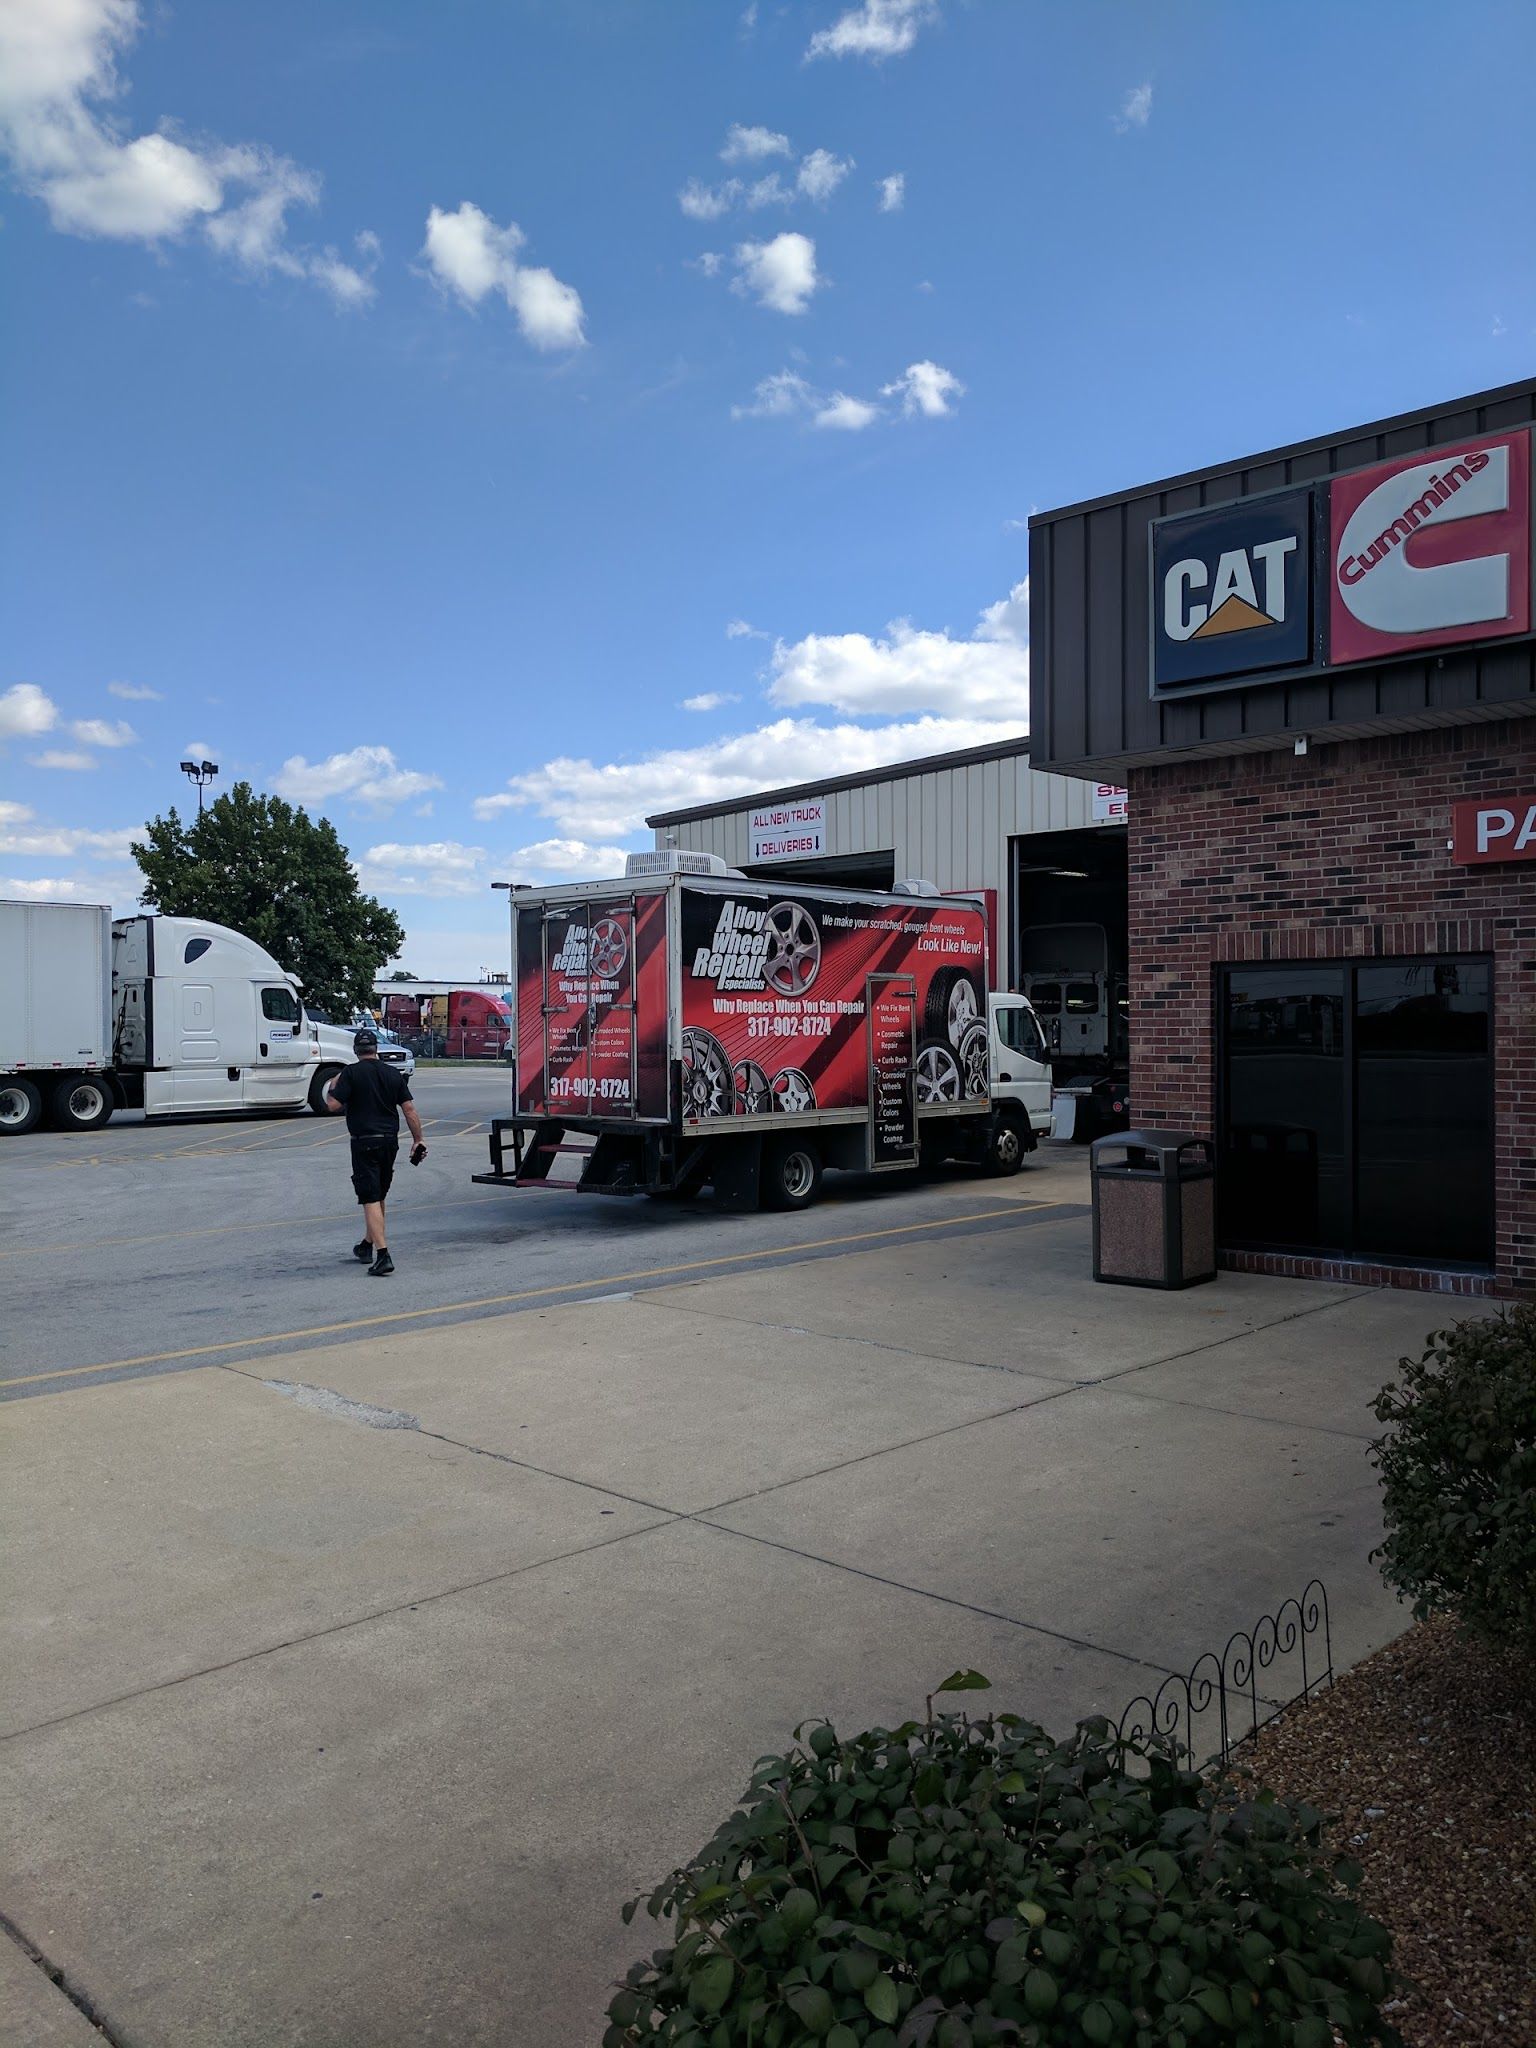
[[488, 423]]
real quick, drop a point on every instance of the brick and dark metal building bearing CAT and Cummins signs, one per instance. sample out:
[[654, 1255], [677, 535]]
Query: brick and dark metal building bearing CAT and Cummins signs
[[1316, 671]]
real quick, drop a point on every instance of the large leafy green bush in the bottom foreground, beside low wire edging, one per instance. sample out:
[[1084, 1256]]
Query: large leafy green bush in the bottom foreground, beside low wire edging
[[959, 1881]]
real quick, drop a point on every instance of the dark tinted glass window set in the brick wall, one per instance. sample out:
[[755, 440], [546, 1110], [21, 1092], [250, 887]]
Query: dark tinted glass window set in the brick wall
[[1357, 1109]]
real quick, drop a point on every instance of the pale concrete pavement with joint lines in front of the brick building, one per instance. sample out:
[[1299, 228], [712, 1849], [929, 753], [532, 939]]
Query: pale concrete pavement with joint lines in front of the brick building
[[347, 1697]]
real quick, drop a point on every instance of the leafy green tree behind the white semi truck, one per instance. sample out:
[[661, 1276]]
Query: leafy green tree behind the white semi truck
[[284, 880]]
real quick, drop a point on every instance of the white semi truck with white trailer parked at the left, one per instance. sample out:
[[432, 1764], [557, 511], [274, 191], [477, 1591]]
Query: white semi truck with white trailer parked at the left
[[169, 1015]]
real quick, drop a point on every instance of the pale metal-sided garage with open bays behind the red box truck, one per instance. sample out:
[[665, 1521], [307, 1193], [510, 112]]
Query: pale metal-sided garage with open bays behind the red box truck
[[1037, 847]]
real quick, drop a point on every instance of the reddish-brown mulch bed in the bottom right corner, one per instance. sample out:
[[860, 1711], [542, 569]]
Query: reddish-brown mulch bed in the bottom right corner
[[1426, 1754]]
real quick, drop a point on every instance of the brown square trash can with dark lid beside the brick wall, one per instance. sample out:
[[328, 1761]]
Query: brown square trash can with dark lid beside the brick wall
[[1154, 1209]]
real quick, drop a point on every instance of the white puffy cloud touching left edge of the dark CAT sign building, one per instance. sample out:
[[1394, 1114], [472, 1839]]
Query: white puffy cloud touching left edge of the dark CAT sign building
[[984, 677]]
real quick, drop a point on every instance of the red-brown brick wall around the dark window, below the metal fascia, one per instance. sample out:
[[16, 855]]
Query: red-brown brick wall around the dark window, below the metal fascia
[[1338, 853]]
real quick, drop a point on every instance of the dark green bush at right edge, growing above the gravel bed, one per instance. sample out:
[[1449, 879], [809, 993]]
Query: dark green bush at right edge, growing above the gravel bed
[[1459, 1478]]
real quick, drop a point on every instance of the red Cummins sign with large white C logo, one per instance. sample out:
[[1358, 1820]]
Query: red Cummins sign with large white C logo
[[1431, 550]]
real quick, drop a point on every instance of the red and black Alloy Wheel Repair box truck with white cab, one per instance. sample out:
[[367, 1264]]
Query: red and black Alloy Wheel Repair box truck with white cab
[[689, 1025]]
